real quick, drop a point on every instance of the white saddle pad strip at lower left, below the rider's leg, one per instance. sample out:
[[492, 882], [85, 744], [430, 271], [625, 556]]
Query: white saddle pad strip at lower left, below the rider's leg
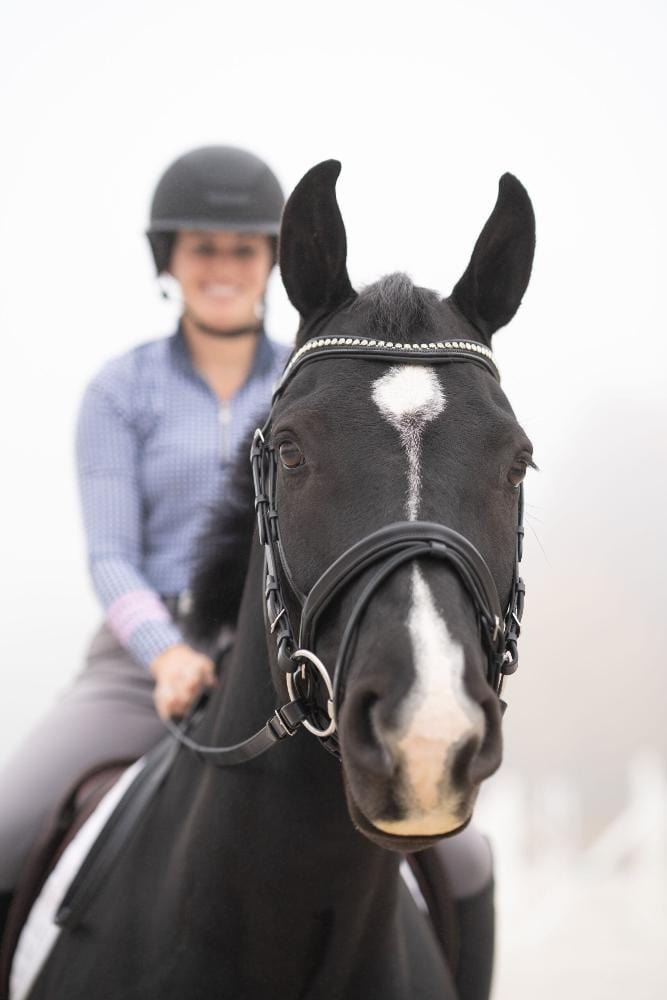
[[40, 932]]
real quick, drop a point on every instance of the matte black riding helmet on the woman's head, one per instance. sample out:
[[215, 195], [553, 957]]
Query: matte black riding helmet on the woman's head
[[216, 187]]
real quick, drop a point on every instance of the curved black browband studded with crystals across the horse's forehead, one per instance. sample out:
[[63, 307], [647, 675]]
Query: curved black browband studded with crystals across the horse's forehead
[[362, 345]]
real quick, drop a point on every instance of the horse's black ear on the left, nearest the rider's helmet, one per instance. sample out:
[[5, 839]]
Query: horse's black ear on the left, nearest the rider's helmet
[[313, 245]]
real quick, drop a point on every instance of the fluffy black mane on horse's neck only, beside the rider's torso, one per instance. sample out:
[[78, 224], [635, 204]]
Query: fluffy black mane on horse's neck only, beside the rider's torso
[[223, 554]]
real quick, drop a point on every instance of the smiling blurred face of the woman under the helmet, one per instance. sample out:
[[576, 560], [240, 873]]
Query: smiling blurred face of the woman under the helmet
[[222, 275]]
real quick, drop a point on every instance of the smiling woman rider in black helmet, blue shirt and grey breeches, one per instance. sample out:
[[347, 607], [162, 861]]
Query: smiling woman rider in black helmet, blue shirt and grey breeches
[[157, 432]]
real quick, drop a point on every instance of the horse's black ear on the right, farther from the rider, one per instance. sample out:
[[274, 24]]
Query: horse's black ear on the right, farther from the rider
[[490, 291]]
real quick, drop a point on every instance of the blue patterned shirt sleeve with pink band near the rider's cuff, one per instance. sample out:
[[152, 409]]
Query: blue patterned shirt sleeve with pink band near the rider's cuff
[[108, 449]]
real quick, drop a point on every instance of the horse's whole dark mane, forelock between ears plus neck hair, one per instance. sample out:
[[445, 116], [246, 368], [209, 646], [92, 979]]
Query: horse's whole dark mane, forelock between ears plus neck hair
[[392, 308]]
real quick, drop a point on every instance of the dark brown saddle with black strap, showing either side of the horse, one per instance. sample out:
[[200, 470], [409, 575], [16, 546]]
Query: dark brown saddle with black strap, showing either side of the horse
[[82, 800]]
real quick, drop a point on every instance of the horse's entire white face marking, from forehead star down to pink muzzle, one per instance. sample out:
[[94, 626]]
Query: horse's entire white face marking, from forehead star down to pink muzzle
[[438, 716]]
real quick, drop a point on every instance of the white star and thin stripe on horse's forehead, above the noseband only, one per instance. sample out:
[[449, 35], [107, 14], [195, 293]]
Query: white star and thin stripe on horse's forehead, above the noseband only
[[409, 397]]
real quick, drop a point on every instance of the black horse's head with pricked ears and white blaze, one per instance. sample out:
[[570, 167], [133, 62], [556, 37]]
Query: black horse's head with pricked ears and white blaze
[[380, 432]]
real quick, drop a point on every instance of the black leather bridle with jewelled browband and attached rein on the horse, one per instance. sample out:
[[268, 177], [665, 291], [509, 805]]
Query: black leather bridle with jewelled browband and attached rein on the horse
[[316, 694]]
